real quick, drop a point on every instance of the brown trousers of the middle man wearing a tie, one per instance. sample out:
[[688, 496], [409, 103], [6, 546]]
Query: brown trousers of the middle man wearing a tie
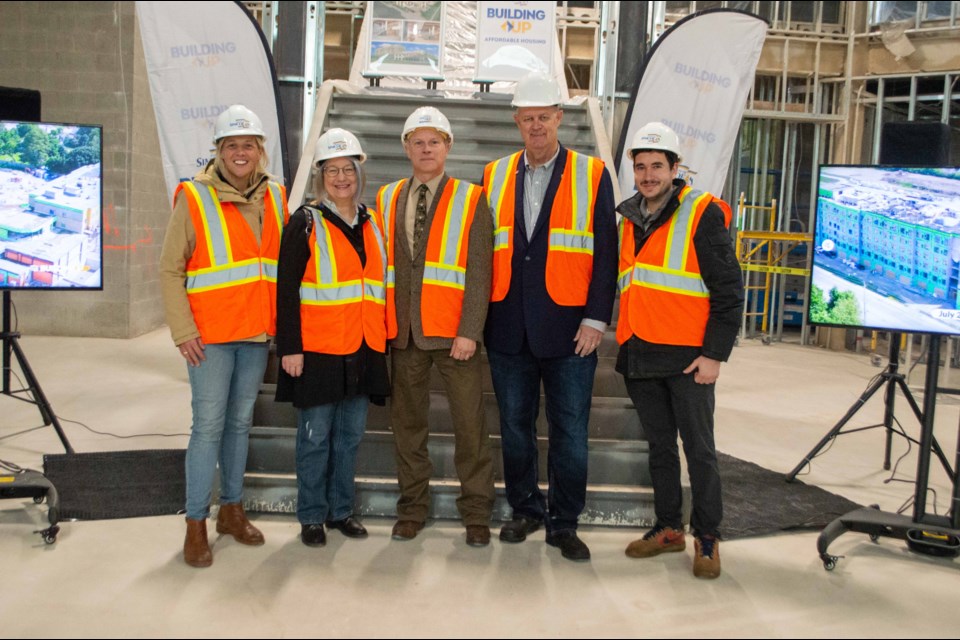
[[409, 408]]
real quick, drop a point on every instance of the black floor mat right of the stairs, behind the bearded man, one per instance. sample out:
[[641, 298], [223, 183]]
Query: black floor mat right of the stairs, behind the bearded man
[[757, 501]]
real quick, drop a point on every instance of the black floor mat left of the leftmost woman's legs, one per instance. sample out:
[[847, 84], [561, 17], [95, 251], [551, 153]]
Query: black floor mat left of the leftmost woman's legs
[[118, 484]]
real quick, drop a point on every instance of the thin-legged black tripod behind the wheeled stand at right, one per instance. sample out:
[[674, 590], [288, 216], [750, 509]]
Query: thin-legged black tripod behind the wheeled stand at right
[[889, 380]]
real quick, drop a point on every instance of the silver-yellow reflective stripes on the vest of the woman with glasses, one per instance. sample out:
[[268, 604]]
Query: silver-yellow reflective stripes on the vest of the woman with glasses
[[328, 290]]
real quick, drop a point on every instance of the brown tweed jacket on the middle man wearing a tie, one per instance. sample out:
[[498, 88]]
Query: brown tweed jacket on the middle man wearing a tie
[[408, 271]]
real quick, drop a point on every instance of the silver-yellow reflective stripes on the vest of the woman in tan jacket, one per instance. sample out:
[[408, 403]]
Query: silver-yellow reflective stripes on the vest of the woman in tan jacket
[[223, 271]]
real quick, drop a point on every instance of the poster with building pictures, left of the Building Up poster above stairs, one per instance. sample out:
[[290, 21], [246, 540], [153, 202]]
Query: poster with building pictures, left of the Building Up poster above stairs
[[406, 39]]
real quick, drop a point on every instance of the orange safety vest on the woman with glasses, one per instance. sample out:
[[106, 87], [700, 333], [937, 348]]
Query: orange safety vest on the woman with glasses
[[343, 303]]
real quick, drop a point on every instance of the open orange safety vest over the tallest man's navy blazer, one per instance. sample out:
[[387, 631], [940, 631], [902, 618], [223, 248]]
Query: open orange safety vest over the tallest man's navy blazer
[[570, 251]]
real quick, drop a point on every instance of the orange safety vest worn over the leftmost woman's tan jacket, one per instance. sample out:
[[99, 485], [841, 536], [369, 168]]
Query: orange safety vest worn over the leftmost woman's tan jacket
[[231, 280]]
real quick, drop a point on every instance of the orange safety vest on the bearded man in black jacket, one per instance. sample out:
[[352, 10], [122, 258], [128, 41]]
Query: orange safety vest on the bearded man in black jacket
[[663, 298]]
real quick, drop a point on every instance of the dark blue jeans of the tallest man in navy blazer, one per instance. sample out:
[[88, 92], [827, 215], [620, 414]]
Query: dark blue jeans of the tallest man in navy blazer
[[568, 388]]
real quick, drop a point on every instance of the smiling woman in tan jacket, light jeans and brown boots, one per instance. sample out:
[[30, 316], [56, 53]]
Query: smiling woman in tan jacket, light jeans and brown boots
[[218, 274]]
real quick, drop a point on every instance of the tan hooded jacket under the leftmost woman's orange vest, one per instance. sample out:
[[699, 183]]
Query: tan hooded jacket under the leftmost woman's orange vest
[[180, 242]]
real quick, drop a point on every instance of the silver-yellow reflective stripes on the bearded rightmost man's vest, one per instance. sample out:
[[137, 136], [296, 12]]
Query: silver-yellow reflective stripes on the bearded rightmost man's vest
[[672, 276]]
